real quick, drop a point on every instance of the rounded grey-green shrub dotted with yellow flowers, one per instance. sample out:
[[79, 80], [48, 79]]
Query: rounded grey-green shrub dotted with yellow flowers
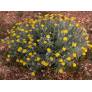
[[50, 40]]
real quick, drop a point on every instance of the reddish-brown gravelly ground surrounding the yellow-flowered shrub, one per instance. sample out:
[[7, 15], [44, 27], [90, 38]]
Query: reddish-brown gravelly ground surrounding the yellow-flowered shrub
[[12, 71]]
